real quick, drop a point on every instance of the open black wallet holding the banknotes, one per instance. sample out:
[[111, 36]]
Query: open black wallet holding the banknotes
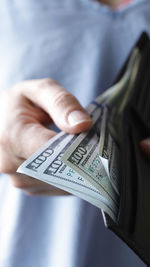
[[133, 222]]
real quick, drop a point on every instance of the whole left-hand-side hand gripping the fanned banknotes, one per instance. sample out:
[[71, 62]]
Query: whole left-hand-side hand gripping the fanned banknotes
[[24, 110]]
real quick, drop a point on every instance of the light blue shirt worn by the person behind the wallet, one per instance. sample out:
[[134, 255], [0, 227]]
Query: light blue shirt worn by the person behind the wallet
[[81, 44]]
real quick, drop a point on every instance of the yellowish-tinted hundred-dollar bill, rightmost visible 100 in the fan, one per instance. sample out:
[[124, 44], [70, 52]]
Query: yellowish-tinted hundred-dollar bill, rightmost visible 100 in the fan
[[83, 157]]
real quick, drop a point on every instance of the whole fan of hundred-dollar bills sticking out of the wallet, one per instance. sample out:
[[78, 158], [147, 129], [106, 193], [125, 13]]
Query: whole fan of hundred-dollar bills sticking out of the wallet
[[86, 165]]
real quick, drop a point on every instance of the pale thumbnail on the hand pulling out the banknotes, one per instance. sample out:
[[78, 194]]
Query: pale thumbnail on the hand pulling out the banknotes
[[77, 117]]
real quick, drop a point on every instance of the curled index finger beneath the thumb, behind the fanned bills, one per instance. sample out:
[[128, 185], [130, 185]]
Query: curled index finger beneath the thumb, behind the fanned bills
[[23, 141]]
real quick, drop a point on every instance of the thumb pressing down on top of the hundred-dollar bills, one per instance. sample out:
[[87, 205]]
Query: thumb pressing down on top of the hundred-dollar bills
[[61, 106]]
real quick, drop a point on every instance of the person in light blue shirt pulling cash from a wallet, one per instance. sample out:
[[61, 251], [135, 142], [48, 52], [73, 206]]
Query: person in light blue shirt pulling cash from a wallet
[[47, 46]]
